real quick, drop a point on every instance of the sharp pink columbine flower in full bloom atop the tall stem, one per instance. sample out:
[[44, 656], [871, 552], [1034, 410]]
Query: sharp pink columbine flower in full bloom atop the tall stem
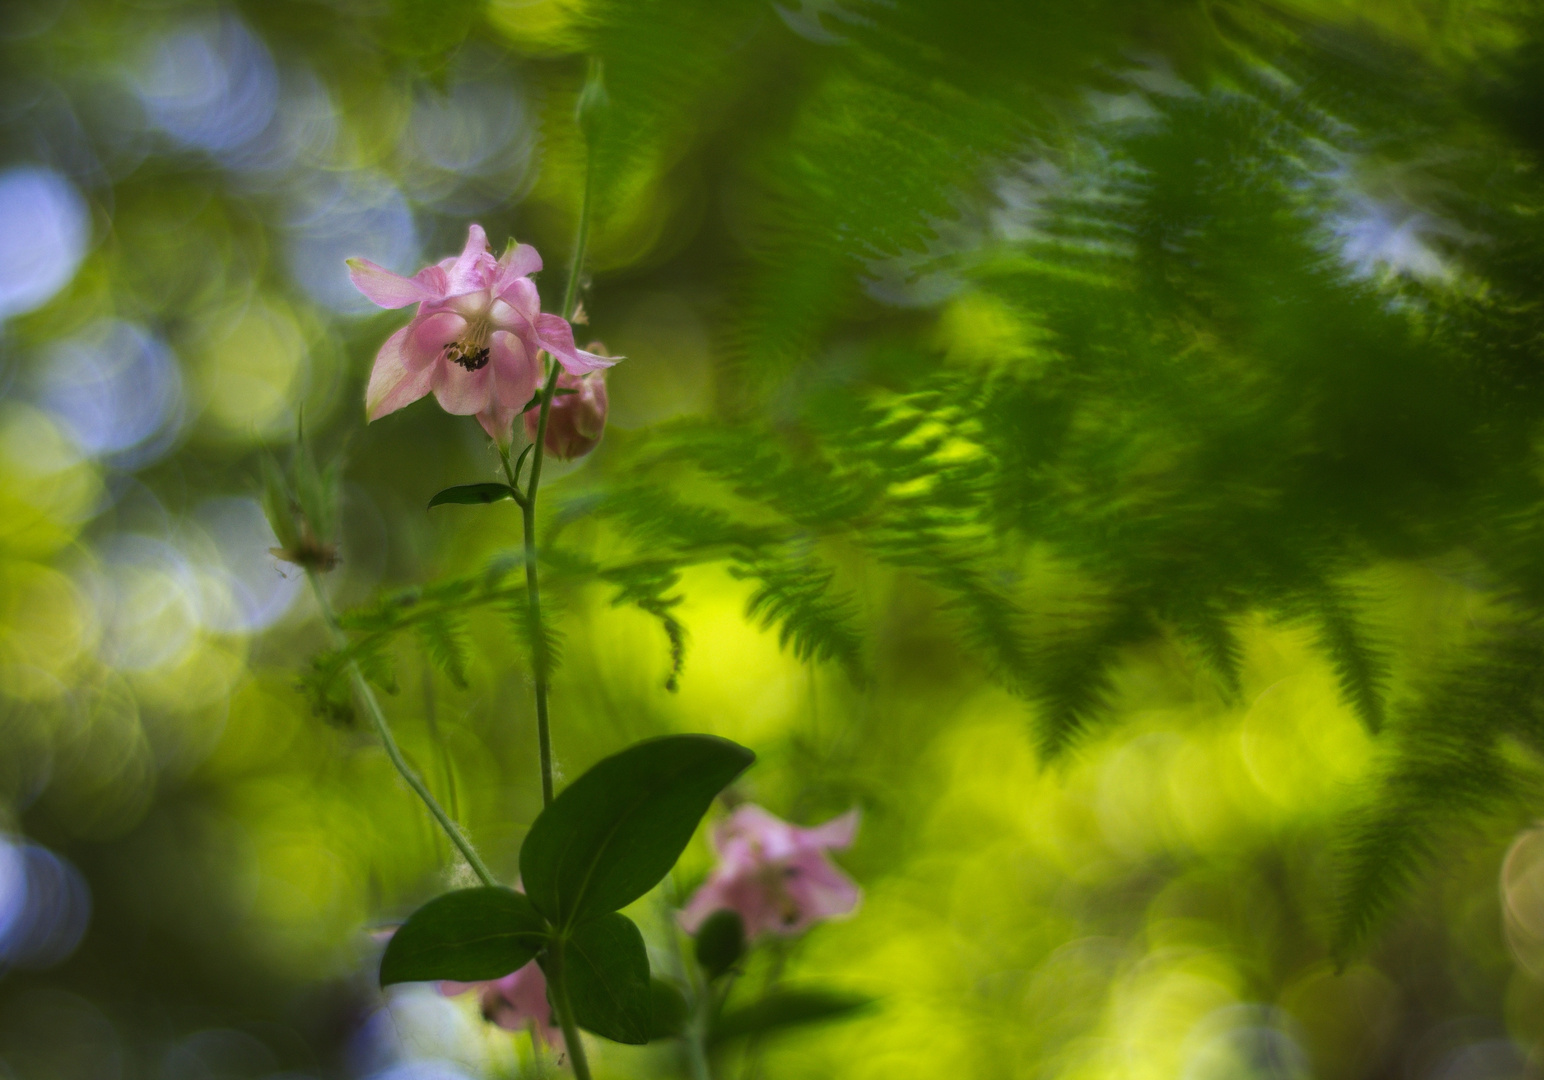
[[475, 341]]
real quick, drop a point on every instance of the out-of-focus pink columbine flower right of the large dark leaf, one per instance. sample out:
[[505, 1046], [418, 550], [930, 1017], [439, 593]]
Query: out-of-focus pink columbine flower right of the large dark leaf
[[774, 875]]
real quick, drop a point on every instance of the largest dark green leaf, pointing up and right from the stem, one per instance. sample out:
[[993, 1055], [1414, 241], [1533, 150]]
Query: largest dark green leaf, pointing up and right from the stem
[[617, 830]]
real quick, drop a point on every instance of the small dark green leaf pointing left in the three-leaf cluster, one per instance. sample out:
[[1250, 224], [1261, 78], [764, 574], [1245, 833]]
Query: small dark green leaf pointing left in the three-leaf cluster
[[469, 936]]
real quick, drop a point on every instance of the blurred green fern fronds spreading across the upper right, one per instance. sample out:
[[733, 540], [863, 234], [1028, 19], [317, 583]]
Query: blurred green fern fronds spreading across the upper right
[[1077, 347]]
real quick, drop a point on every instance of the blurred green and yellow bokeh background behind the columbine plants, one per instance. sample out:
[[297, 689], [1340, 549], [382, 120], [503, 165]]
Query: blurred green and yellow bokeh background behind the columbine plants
[[1150, 395]]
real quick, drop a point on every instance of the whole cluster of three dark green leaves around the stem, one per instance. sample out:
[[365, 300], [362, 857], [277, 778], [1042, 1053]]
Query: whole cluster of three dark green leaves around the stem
[[606, 841]]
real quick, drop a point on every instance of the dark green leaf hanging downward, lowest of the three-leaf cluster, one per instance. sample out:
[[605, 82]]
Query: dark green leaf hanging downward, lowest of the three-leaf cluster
[[608, 971]]
